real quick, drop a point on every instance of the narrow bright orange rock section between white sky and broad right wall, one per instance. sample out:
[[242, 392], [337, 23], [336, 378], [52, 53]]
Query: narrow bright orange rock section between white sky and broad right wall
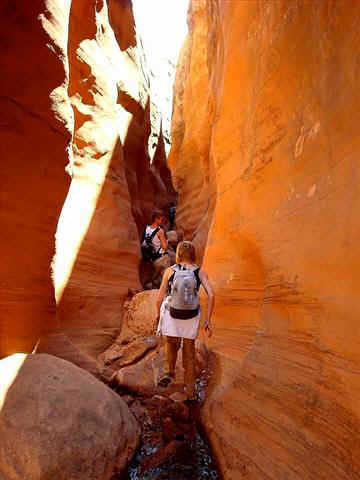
[[190, 157]]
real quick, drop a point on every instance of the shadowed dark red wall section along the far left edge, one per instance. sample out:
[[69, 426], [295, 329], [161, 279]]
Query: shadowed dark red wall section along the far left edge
[[34, 135]]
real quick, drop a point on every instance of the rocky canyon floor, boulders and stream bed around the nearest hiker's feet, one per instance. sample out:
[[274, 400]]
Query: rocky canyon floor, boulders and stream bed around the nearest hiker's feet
[[171, 445]]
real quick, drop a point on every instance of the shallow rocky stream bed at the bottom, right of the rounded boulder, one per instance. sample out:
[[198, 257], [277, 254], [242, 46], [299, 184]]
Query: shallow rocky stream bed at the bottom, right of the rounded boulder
[[172, 447]]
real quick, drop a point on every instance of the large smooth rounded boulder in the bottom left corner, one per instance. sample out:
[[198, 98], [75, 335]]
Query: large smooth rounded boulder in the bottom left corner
[[58, 422]]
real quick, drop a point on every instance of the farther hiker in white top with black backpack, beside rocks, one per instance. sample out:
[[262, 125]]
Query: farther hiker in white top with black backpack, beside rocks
[[155, 248]]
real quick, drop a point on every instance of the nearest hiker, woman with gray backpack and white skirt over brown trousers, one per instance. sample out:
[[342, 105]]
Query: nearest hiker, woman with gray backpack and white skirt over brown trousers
[[179, 313]]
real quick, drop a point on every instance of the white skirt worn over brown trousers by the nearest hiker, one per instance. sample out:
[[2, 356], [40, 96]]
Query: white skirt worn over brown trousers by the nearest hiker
[[174, 327]]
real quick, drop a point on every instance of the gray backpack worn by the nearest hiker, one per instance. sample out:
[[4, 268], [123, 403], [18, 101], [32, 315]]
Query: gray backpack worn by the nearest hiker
[[184, 287]]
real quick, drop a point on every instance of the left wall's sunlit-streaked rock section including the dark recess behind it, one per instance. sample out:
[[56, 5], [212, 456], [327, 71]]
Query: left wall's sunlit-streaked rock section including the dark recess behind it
[[114, 190]]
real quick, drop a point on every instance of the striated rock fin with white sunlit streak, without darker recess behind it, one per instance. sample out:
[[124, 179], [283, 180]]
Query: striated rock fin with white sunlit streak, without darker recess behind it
[[97, 241]]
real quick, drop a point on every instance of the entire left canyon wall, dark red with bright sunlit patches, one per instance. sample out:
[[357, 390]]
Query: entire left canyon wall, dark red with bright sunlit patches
[[75, 94]]
